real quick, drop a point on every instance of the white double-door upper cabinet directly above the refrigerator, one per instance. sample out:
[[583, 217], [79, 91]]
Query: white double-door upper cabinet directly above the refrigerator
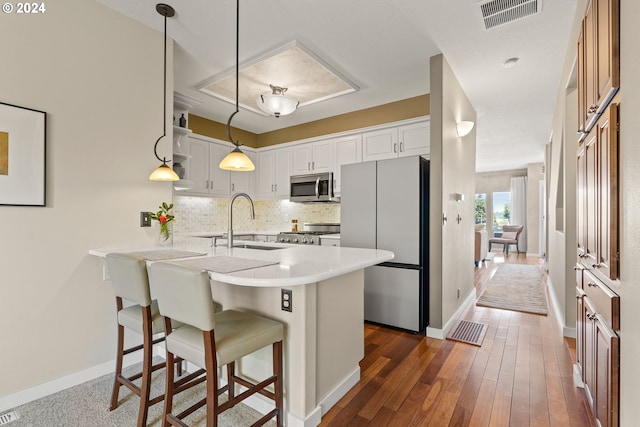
[[402, 141]]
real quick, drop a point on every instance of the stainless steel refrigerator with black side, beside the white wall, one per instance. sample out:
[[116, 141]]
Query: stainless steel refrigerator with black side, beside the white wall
[[384, 205]]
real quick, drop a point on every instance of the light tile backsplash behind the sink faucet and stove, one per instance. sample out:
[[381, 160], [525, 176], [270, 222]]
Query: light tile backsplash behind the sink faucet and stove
[[204, 214]]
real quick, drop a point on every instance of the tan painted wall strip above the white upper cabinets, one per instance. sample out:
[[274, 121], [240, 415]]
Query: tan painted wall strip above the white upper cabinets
[[387, 113]]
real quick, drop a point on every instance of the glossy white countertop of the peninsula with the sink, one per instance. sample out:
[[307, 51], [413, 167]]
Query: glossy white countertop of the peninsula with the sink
[[297, 264]]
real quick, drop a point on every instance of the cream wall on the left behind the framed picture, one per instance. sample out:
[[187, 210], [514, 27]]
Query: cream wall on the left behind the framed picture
[[98, 75]]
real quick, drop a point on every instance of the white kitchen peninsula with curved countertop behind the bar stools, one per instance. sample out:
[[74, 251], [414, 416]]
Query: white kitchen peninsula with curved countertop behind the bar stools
[[324, 340]]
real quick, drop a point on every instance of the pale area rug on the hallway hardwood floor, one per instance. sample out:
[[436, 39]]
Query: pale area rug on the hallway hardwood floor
[[516, 287]]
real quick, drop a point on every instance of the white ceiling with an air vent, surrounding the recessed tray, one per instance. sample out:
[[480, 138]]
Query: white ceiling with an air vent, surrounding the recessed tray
[[383, 47]]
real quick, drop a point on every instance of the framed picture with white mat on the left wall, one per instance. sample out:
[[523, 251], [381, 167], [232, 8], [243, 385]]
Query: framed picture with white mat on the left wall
[[22, 156]]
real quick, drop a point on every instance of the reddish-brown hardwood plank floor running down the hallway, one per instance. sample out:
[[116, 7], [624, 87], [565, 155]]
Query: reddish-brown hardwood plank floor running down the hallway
[[521, 376]]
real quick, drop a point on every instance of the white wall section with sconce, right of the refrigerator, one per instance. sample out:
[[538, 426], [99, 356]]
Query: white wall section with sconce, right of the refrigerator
[[452, 171]]
